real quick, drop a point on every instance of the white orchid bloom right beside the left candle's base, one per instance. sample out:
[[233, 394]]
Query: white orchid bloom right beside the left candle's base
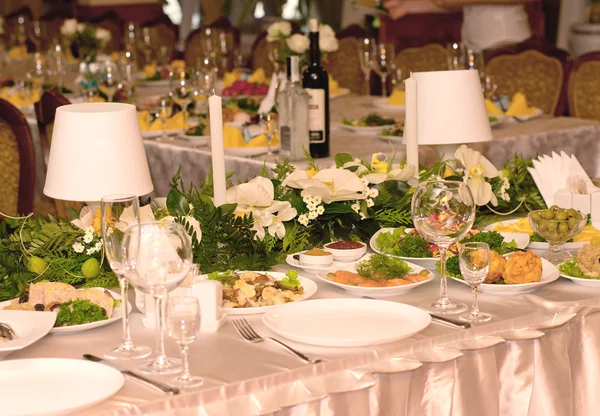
[[257, 193]]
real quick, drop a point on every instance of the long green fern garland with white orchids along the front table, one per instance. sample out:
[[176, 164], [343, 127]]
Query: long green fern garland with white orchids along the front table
[[280, 212]]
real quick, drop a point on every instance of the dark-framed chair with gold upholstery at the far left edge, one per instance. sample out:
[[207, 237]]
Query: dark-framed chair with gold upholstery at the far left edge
[[17, 164]]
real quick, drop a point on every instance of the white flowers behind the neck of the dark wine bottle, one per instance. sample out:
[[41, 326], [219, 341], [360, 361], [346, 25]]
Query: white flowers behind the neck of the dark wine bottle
[[298, 43]]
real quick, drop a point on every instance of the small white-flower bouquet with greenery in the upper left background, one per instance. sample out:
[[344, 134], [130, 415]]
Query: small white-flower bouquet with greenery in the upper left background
[[86, 38]]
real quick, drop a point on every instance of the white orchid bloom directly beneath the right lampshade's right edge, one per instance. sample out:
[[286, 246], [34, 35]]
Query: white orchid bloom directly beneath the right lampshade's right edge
[[477, 169]]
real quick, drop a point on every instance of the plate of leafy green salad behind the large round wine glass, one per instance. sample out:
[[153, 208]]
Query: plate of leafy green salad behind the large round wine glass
[[407, 244]]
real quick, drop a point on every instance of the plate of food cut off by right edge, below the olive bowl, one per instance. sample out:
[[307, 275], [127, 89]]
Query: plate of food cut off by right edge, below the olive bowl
[[584, 268]]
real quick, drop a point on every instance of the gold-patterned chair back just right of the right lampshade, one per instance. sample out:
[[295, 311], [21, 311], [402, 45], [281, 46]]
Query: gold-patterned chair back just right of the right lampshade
[[548, 57]]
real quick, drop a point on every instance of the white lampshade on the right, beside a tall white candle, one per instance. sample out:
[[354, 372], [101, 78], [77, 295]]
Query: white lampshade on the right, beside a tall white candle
[[451, 108]]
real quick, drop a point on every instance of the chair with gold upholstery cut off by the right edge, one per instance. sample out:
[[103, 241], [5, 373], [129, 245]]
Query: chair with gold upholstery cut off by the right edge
[[584, 87]]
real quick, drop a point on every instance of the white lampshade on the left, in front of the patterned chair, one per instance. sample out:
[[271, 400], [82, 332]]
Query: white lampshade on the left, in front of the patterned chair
[[97, 150]]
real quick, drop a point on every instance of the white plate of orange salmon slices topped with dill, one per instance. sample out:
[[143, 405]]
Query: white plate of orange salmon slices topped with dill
[[378, 275]]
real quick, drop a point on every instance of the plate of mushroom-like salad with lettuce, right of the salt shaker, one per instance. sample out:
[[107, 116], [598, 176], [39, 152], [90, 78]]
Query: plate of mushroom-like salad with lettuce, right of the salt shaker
[[252, 292]]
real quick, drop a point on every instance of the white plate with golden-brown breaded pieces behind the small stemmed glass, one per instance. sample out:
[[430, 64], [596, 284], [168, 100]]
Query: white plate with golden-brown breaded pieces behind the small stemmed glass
[[511, 274]]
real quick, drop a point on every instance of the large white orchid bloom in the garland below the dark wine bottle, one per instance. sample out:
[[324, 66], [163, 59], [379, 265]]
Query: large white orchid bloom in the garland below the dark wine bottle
[[334, 185]]
